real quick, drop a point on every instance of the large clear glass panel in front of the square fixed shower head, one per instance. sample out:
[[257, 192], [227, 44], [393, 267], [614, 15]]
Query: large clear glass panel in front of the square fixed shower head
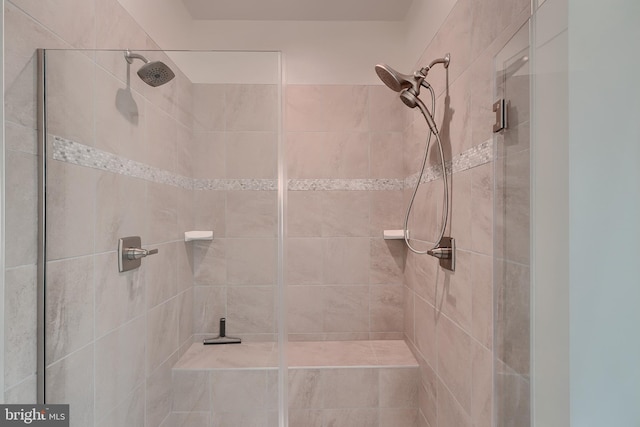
[[123, 158]]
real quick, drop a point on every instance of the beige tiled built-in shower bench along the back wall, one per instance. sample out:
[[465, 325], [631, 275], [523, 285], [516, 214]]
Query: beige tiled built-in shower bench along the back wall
[[336, 383]]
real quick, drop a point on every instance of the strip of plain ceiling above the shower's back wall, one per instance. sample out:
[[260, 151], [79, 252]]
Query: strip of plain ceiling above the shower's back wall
[[299, 10]]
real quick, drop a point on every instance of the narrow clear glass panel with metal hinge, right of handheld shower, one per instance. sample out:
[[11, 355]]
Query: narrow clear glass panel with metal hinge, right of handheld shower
[[511, 237]]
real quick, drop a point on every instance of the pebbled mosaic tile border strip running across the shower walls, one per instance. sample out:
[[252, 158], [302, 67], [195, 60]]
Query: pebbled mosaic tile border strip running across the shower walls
[[82, 155]]
